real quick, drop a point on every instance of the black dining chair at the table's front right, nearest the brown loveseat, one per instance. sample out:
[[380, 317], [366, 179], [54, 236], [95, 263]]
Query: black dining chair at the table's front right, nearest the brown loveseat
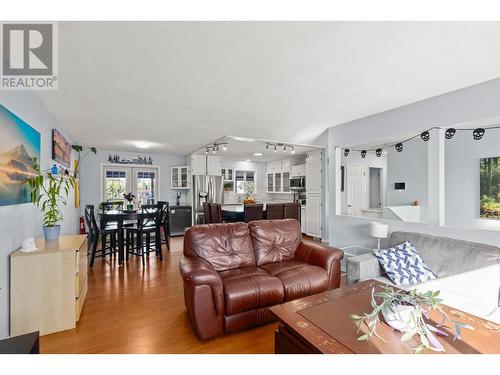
[[148, 225]]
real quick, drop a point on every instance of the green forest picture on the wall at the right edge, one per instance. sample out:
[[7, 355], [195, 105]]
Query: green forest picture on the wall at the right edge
[[490, 188]]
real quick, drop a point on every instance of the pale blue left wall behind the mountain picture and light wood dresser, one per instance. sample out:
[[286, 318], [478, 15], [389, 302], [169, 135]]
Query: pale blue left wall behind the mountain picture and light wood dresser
[[20, 221]]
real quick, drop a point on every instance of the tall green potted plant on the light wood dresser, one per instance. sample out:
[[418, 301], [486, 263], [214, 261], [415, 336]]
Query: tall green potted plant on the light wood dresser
[[49, 190]]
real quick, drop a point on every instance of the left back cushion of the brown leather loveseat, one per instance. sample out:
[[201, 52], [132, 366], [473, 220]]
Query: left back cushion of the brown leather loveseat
[[225, 246]]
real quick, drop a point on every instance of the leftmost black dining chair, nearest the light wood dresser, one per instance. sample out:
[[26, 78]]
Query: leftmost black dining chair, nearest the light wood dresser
[[96, 232]]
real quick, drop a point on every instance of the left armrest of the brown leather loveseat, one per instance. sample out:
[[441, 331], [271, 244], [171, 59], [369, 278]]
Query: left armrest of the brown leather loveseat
[[198, 272]]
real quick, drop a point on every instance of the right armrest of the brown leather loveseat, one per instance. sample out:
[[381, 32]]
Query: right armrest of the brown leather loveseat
[[323, 256]]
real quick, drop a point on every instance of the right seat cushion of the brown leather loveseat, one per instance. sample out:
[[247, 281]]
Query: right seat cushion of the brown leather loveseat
[[299, 279]]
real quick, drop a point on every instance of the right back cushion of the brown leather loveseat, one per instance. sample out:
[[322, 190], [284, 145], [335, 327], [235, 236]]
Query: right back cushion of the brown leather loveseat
[[274, 240]]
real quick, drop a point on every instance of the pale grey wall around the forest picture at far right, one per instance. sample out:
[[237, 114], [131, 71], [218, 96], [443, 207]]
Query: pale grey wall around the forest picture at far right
[[462, 156]]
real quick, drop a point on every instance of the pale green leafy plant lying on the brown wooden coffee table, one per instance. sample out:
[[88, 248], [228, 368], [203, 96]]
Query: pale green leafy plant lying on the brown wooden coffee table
[[419, 324]]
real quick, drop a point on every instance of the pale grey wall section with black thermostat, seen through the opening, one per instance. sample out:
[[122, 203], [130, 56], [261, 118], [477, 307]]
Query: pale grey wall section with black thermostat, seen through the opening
[[410, 167]]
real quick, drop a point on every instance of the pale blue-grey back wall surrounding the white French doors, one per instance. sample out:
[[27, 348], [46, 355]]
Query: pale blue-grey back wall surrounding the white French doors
[[90, 187]]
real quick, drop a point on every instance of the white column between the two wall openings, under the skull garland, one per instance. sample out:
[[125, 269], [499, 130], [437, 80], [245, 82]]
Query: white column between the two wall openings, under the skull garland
[[436, 178]]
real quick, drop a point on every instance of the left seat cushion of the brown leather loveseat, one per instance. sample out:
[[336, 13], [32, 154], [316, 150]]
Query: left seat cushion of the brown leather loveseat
[[250, 288]]
